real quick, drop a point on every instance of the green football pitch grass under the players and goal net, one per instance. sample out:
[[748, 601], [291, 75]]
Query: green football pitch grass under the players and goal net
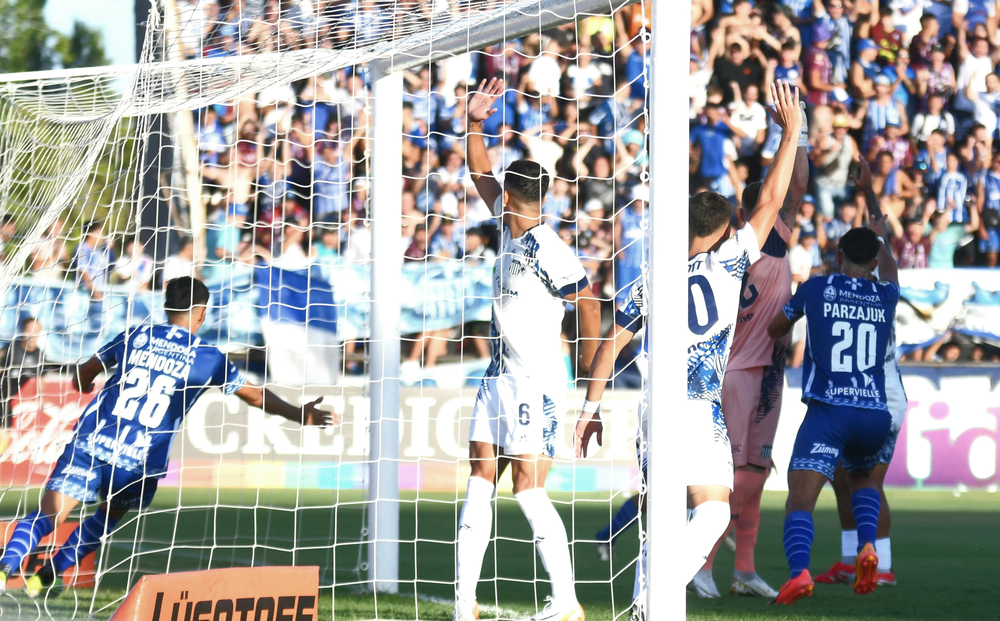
[[945, 548]]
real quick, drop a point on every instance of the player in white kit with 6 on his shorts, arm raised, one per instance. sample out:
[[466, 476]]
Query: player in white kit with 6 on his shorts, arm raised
[[515, 416]]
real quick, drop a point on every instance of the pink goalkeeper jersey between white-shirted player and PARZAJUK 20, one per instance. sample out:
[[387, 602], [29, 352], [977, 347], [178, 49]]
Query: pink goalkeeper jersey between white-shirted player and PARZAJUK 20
[[767, 287]]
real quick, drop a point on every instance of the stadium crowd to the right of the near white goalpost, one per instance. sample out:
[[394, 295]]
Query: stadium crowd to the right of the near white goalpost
[[910, 85]]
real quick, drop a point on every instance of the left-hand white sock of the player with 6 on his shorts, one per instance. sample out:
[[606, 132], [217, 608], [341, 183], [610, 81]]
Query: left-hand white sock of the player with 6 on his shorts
[[474, 530]]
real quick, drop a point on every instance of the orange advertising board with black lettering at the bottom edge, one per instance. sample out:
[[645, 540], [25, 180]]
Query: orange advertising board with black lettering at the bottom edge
[[271, 593]]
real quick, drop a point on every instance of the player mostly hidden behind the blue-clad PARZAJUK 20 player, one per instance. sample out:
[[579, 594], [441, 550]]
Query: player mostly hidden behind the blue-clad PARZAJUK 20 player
[[843, 570]]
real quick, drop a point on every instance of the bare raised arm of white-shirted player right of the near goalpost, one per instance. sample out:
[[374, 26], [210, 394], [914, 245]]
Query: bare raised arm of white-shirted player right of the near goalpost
[[772, 192]]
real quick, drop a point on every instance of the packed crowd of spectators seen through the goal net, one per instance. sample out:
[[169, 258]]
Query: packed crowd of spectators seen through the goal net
[[285, 172]]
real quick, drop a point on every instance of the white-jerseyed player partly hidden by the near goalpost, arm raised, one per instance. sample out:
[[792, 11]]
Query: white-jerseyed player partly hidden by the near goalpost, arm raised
[[716, 265]]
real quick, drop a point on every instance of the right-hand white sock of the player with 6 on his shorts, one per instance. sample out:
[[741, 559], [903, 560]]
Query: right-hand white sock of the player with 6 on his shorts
[[551, 542]]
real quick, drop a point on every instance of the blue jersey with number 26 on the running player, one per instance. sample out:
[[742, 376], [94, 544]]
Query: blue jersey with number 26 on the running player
[[162, 370]]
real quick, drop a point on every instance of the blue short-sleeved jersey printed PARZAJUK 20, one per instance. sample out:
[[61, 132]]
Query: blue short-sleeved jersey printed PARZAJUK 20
[[849, 327]]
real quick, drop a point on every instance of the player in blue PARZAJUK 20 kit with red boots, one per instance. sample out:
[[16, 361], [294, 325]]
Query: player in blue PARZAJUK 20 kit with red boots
[[849, 323]]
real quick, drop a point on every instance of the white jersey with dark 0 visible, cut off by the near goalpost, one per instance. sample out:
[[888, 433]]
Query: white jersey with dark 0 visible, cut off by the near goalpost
[[715, 281]]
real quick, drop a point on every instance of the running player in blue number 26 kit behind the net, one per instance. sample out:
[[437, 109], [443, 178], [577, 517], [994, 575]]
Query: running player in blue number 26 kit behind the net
[[121, 442]]
